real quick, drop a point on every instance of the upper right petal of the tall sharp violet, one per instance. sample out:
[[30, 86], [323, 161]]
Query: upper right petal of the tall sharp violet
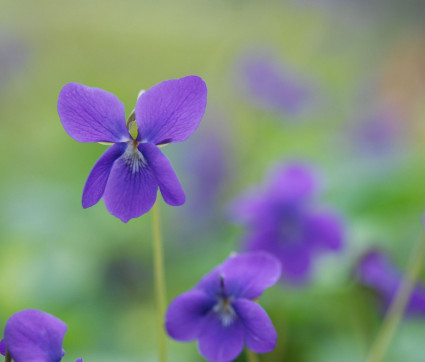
[[171, 111]]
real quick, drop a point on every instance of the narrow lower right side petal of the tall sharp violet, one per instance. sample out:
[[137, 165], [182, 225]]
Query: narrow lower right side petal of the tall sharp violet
[[167, 180]]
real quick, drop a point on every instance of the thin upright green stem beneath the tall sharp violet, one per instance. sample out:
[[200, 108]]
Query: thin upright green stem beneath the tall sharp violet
[[159, 281]]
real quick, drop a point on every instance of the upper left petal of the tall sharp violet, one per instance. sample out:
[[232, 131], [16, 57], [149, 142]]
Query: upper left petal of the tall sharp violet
[[92, 114]]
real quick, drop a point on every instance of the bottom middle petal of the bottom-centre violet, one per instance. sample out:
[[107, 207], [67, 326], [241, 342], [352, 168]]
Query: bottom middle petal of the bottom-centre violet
[[218, 342]]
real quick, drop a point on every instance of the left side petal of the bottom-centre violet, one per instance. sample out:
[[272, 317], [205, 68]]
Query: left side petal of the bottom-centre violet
[[186, 313]]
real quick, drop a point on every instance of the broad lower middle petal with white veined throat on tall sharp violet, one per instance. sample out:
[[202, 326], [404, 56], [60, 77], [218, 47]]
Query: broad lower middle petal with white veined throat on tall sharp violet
[[131, 188]]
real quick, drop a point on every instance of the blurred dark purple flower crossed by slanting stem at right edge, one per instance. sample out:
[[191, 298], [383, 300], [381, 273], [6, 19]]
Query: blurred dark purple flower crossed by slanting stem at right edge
[[376, 271]]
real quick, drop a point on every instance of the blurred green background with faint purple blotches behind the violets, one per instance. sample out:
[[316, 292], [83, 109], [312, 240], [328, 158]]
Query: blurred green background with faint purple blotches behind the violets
[[356, 72]]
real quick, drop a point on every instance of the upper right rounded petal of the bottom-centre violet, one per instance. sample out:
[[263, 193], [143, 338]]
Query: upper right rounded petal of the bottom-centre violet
[[248, 275]]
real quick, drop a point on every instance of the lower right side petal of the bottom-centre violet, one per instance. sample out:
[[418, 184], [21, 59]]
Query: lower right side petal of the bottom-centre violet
[[260, 335]]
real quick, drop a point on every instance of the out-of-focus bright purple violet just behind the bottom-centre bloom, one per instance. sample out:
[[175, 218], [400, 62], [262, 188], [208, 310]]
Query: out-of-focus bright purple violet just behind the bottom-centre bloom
[[281, 220]]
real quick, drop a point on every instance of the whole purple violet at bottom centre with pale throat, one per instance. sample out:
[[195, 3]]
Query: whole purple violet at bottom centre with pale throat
[[220, 312]]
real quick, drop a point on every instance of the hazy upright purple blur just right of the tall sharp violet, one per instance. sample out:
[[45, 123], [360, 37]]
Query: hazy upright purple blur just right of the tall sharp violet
[[207, 173]]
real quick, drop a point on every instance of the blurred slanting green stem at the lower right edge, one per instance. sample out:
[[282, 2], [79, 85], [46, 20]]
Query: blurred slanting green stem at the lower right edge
[[396, 310]]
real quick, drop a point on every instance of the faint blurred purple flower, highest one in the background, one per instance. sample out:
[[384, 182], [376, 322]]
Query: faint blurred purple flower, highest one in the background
[[271, 85]]
